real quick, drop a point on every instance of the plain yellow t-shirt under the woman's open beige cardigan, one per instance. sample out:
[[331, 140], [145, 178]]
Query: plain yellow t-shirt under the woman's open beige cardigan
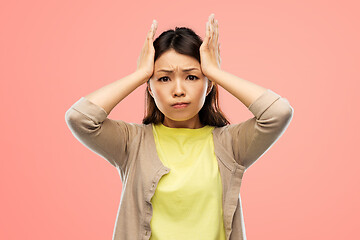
[[187, 203]]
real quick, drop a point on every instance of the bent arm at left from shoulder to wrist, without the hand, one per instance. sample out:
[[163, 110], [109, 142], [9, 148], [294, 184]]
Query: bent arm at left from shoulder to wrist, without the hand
[[87, 119]]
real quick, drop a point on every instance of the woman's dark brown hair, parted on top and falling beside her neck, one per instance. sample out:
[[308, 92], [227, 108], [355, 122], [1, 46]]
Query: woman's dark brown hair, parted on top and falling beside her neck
[[184, 41]]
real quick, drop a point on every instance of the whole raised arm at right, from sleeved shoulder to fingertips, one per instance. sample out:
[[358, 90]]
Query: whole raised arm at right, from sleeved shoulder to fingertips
[[272, 113]]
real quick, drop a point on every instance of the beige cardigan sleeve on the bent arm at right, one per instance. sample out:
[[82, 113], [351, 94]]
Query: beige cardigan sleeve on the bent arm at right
[[252, 138]]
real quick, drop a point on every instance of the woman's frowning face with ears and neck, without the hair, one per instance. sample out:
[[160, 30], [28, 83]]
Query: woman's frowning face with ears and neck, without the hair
[[168, 88]]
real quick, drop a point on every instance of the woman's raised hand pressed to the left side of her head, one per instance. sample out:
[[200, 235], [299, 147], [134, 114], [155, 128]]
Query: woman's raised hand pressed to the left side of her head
[[145, 61]]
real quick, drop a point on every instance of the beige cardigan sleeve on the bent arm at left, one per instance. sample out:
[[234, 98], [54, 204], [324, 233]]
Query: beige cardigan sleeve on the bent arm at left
[[106, 137]]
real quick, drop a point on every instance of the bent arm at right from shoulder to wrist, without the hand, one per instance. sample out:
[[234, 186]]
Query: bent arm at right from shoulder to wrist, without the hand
[[272, 115]]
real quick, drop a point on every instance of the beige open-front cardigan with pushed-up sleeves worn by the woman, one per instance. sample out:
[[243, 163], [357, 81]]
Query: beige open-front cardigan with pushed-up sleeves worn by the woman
[[130, 147]]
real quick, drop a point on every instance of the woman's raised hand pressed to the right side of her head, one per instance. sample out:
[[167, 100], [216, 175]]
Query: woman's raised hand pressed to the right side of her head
[[210, 48]]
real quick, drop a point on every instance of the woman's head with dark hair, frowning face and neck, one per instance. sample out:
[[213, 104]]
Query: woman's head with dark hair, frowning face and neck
[[178, 50]]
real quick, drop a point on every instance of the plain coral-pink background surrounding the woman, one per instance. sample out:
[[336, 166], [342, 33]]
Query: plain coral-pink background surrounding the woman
[[54, 52]]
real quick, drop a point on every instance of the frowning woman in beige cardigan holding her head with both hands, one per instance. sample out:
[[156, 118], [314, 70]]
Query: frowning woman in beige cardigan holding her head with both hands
[[181, 169]]
